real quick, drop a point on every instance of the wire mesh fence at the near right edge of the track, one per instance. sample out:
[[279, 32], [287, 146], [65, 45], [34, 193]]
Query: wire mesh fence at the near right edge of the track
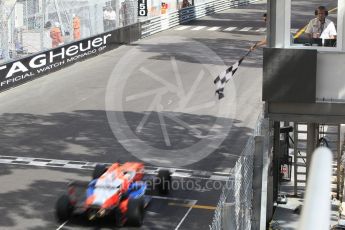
[[235, 204]]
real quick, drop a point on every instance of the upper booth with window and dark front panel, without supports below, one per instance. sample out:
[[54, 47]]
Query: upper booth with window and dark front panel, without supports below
[[303, 73]]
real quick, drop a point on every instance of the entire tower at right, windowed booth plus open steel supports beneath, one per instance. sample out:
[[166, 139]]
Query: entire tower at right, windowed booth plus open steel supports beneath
[[304, 86]]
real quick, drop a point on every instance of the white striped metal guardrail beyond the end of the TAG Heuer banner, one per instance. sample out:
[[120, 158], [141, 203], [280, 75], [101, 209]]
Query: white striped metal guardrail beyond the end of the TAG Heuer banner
[[172, 19]]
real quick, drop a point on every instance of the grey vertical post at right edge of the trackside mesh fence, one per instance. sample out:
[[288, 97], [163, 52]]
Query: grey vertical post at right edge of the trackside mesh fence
[[257, 181]]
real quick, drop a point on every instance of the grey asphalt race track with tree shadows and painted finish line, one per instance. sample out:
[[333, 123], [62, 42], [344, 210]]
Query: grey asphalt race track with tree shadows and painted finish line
[[67, 118]]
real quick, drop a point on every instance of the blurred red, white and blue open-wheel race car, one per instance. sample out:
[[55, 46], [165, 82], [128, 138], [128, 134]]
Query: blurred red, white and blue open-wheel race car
[[118, 191]]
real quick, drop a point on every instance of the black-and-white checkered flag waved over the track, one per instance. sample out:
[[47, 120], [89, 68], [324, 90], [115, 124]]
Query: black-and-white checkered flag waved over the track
[[226, 75]]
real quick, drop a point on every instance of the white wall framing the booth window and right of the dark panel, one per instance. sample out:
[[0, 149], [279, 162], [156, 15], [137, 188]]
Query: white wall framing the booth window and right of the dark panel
[[330, 80]]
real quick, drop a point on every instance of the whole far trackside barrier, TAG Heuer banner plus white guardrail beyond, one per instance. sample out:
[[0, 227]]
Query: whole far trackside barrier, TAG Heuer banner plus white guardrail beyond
[[30, 67]]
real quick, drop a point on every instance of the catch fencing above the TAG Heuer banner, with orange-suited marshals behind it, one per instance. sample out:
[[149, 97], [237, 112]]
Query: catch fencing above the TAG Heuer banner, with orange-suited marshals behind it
[[29, 26]]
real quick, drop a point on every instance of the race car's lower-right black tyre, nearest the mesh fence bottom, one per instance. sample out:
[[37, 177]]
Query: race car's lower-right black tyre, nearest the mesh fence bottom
[[135, 212]]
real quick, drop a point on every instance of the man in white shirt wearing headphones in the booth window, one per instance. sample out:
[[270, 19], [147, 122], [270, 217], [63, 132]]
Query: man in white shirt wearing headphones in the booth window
[[321, 27]]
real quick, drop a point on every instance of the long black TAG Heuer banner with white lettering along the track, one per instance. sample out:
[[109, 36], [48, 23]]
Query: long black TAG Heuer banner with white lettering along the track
[[29, 68]]
